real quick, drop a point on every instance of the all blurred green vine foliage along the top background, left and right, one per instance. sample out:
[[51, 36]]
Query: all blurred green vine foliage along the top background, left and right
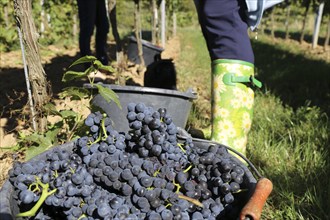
[[57, 20]]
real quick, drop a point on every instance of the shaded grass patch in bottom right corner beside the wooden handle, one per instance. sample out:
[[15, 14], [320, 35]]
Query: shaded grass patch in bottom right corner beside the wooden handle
[[306, 194]]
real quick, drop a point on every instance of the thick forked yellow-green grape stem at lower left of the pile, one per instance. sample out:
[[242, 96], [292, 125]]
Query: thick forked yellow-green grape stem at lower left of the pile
[[44, 194]]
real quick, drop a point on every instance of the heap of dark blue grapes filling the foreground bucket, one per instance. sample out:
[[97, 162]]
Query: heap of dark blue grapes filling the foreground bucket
[[146, 173]]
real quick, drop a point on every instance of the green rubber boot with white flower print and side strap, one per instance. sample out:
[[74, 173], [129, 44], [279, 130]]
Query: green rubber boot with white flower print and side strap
[[232, 102]]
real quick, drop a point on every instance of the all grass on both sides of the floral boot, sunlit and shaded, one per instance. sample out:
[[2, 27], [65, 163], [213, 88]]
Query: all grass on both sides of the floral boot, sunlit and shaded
[[289, 140]]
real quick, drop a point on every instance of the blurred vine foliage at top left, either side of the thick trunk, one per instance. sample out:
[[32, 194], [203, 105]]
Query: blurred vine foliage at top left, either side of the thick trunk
[[56, 21]]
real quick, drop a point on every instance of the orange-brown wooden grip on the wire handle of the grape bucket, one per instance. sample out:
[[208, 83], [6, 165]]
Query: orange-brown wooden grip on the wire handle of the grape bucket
[[252, 210]]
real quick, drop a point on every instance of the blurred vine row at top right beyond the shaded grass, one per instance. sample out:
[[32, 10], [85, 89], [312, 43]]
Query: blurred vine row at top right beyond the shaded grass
[[299, 23]]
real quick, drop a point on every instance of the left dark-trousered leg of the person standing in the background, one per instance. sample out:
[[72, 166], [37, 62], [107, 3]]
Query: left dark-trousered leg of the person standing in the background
[[86, 11]]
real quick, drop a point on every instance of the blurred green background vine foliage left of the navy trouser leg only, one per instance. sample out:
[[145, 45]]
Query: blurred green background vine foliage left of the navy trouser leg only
[[57, 20]]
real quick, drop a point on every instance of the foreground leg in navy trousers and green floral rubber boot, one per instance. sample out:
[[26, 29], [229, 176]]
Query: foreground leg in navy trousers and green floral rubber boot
[[232, 62]]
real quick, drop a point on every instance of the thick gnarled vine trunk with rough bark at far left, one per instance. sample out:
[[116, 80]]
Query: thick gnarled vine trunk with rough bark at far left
[[37, 75]]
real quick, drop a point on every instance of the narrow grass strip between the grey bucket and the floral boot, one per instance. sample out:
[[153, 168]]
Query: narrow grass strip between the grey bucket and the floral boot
[[194, 65]]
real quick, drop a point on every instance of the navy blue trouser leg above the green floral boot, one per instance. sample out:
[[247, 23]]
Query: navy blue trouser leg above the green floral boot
[[226, 30]]
